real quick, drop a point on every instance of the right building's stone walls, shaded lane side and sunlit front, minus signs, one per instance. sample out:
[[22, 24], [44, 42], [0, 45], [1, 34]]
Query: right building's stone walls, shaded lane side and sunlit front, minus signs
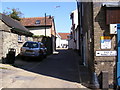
[[93, 26]]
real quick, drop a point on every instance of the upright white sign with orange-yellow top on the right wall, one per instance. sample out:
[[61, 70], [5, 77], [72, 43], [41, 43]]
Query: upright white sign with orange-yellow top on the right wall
[[105, 42]]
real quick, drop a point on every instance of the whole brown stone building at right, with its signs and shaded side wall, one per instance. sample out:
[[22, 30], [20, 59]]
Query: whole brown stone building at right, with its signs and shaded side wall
[[95, 37]]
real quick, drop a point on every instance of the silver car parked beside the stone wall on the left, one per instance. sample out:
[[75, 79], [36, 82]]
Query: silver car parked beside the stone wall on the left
[[33, 49]]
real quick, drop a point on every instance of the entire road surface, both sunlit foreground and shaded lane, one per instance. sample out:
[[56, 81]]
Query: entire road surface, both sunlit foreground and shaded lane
[[60, 70]]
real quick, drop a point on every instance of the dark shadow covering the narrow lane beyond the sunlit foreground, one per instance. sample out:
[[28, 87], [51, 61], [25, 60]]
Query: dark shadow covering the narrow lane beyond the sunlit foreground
[[62, 66]]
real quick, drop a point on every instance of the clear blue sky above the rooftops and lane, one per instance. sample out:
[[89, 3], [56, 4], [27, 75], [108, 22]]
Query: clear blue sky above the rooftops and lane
[[38, 9]]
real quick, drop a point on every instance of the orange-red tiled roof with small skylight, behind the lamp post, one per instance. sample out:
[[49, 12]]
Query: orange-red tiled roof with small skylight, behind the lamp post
[[32, 21]]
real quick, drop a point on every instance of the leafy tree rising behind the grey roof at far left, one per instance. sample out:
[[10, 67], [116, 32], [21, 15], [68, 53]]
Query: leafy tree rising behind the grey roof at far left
[[14, 13]]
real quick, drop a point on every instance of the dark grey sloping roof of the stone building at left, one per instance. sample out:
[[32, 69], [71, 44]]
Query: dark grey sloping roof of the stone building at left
[[15, 25]]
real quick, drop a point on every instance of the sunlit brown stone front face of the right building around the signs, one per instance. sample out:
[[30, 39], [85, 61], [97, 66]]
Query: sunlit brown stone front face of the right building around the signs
[[102, 63]]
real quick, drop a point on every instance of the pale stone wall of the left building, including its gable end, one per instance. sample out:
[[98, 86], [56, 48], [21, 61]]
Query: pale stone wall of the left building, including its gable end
[[10, 40]]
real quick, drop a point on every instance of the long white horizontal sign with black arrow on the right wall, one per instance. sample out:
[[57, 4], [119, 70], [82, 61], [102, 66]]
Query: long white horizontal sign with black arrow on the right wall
[[106, 53]]
